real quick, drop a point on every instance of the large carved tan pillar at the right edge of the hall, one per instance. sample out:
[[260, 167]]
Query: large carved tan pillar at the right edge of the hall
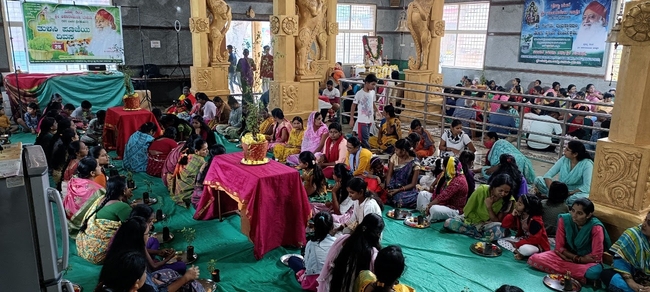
[[620, 185]]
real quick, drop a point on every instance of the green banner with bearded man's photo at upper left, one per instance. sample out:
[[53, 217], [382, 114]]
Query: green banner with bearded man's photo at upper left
[[61, 33]]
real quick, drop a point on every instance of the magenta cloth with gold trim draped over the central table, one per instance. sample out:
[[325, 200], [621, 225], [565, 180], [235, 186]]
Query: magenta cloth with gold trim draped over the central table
[[272, 195]]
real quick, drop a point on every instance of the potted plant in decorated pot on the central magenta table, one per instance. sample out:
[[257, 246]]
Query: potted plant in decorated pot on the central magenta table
[[254, 143]]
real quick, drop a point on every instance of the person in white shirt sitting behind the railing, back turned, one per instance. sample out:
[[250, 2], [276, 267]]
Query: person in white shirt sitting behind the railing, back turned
[[548, 126]]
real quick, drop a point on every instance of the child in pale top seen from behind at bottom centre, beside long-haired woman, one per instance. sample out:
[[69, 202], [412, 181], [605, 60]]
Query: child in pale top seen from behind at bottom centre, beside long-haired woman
[[308, 270]]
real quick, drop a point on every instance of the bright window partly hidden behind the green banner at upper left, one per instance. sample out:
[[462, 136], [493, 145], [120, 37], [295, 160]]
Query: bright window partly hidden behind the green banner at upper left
[[16, 36]]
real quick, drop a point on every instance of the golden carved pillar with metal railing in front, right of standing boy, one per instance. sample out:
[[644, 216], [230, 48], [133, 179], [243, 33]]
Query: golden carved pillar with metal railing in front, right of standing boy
[[424, 67]]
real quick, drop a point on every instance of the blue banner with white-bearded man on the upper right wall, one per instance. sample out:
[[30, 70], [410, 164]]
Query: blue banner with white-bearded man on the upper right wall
[[564, 32]]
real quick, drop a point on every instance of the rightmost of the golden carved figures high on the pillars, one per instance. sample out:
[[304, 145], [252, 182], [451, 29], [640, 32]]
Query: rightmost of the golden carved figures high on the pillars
[[418, 20]]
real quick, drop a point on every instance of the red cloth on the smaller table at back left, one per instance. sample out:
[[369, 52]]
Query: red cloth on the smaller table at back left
[[120, 125]]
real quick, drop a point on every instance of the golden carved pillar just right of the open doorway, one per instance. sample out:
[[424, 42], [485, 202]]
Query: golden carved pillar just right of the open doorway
[[297, 95]]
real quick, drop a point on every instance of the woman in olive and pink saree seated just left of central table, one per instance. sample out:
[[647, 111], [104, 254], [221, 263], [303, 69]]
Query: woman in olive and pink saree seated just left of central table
[[181, 183]]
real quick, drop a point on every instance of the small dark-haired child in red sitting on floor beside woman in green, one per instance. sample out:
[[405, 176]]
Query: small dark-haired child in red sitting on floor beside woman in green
[[531, 236]]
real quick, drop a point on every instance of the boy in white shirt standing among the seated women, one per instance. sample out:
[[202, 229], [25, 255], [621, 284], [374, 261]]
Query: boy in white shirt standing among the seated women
[[365, 100]]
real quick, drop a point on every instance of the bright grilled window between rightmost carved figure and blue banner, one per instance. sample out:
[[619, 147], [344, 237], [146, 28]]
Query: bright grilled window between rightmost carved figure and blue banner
[[463, 45]]
